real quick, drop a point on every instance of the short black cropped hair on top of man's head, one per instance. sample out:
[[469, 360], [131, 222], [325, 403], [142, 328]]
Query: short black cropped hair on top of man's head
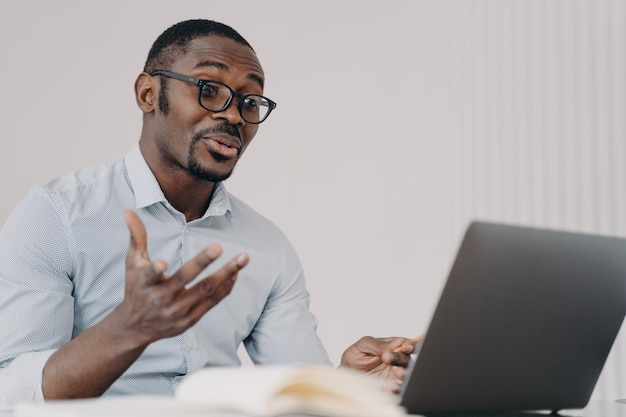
[[175, 40]]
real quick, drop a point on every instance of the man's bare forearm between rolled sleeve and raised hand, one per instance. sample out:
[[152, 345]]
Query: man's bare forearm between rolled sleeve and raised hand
[[92, 362]]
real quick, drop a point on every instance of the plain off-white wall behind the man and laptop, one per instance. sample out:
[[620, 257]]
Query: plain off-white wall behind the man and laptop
[[398, 122]]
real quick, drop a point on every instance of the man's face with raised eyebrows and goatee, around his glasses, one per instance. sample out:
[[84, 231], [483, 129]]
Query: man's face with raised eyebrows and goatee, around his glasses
[[207, 144]]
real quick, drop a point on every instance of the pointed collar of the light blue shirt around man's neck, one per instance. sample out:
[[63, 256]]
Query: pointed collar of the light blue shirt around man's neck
[[148, 191]]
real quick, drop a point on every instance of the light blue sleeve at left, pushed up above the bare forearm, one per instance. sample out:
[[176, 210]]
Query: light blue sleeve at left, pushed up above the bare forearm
[[35, 295]]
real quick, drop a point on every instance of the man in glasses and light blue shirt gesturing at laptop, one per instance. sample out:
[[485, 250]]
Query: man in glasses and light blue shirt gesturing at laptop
[[83, 314]]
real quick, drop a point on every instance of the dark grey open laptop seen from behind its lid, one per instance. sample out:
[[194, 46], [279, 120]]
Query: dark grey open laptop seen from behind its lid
[[525, 322]]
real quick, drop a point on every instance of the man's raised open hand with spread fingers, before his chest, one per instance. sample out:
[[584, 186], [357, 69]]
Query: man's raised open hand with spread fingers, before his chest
[[156, 306]]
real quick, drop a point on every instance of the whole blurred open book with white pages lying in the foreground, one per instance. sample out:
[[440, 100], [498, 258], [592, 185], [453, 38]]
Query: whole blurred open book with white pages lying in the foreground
[[249, 391]]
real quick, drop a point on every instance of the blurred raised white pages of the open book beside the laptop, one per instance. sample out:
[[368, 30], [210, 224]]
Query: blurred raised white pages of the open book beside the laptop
[[273, 391]]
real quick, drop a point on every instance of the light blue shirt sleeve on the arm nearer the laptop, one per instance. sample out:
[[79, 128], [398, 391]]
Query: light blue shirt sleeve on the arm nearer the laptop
[[287, 330]]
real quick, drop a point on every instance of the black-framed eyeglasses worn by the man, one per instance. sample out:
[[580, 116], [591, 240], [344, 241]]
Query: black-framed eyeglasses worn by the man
[[215, 96]]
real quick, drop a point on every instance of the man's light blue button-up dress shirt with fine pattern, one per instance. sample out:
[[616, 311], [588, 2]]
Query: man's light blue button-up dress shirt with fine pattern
[[62, 254]]
